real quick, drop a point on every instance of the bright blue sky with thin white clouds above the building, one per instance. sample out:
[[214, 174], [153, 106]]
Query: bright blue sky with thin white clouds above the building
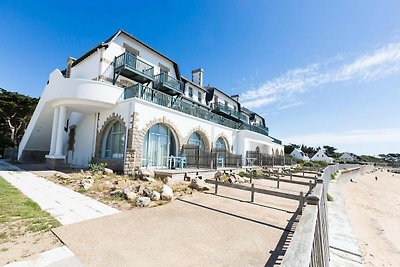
[[320, 72]]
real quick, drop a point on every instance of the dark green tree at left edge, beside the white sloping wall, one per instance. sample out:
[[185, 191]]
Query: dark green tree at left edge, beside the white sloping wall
[[15, 113]]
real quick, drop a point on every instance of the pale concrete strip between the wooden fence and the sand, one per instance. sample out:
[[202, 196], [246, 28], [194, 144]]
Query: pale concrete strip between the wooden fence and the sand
[[344, 247]]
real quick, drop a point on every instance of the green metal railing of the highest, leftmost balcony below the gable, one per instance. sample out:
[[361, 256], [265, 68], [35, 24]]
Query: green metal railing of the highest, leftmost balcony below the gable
[[129, 61]]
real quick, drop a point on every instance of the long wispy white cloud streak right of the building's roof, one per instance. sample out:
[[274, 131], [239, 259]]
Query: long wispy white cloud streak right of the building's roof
[[379, 63]]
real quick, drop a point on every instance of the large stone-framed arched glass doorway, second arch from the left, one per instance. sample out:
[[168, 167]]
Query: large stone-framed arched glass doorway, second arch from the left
[[158, 144]]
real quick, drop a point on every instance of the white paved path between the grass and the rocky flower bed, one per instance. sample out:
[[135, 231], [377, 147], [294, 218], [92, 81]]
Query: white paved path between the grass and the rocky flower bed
[[64, 204]]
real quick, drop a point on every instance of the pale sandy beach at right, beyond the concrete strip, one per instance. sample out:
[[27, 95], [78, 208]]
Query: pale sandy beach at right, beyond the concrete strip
[[373, 207]]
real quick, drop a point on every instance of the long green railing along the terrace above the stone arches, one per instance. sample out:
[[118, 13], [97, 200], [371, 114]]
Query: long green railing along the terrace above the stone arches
[[166, 100]]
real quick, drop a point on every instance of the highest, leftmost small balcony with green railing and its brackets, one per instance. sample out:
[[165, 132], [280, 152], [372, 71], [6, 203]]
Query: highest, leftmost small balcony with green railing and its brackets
[[132, 68]]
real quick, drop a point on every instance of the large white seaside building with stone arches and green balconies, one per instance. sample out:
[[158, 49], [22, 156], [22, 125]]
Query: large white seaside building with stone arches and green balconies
[[126, 104]]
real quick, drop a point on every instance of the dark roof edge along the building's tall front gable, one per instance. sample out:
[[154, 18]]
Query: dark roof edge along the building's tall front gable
[[111, 38]]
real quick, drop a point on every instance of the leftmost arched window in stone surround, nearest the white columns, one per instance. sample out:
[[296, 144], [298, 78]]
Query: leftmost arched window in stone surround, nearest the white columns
[[114, 142]]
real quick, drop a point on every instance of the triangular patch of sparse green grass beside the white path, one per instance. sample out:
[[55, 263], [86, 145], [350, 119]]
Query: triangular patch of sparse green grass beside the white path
[[20, 215]]
